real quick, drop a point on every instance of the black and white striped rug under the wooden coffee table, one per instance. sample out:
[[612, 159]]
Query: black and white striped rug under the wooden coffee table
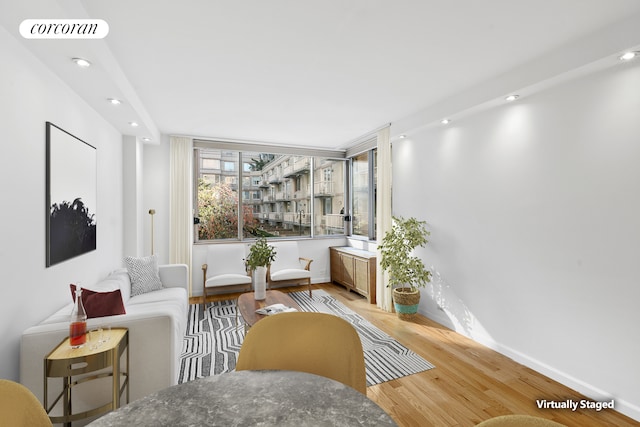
[[212, 341]]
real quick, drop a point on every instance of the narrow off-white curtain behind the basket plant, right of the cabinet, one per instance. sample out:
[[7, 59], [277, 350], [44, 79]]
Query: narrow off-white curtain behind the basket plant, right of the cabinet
[[383, 214]]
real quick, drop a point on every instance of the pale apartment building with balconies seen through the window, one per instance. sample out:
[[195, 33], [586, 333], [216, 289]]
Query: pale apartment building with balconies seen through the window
[[287, 195]]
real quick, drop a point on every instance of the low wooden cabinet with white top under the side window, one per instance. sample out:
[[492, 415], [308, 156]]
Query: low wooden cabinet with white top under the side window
[[355, 269]]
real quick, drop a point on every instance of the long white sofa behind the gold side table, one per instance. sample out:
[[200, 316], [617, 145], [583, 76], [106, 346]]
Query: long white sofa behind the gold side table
[[156, 321]]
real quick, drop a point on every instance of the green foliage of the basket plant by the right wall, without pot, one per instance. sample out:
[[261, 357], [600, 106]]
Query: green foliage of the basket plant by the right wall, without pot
[[396, 248]]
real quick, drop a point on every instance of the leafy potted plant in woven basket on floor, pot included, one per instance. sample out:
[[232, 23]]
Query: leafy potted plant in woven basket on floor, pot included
[[407, 272]]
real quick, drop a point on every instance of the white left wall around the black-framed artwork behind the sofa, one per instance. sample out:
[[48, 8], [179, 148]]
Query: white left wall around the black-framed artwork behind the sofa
[[31, 95]]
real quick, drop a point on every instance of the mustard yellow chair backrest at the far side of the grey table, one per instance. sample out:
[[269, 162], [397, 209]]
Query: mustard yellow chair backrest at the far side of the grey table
[[316, 343]]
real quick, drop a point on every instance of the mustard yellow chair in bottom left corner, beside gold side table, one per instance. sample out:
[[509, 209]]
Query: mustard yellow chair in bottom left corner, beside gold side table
[[19, 407]]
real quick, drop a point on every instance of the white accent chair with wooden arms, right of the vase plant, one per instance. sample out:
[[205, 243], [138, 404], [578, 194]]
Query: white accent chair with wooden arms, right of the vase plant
[[289, 266]]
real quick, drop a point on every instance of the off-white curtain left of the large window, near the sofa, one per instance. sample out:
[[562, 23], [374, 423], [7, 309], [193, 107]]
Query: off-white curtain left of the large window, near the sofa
[[180, 202]]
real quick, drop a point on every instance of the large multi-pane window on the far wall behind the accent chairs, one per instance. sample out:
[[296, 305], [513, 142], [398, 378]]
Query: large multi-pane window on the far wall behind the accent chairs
[[272, 195]]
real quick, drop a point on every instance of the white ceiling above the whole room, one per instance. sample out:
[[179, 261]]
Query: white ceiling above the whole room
[[317, 73]]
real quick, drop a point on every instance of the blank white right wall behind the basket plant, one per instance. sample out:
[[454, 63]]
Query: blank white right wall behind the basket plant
[[534, 209]]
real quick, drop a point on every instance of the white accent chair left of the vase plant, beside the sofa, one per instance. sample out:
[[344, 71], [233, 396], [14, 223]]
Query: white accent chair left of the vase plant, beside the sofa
[[225, 267]]
